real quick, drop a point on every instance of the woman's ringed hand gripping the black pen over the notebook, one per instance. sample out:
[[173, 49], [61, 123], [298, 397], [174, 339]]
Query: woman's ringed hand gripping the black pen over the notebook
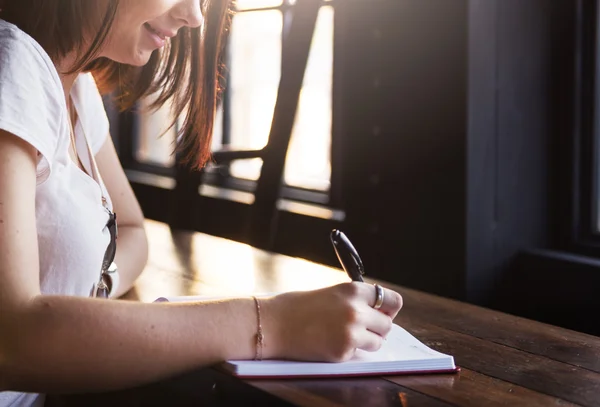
[[329, 324]]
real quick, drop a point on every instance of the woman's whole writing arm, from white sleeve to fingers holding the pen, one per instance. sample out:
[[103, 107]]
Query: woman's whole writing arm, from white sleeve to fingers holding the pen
[[61, 344]]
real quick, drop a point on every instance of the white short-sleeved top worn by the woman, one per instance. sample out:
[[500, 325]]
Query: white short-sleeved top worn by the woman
[[70, 219]]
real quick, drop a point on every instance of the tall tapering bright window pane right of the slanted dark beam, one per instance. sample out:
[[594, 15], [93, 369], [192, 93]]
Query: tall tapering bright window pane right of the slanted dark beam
[[308, 163]]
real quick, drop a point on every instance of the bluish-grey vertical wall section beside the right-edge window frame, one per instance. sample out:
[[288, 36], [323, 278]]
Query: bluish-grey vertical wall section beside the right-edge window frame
[[509, 130]]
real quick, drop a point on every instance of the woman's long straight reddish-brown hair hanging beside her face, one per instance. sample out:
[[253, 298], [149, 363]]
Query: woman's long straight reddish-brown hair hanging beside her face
[[186, 72]]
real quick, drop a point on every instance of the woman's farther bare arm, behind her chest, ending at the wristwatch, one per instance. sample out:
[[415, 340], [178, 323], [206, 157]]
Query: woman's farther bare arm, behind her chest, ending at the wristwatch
[[132, 246]]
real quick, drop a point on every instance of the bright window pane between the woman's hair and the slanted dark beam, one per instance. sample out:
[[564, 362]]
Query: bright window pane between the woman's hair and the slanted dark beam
[[255, 47]]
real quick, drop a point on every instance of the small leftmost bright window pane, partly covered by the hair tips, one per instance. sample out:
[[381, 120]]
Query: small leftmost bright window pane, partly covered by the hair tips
[[154, 147]]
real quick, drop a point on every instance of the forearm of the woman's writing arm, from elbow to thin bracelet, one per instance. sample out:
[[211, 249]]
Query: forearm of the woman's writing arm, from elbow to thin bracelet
[[103, 345]]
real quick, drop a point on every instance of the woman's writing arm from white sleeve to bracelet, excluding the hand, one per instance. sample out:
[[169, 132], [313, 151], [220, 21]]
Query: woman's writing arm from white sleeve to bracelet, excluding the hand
[[92, 344]]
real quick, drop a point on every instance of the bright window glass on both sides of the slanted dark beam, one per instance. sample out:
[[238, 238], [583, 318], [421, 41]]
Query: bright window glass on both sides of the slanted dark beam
[[255, 53]]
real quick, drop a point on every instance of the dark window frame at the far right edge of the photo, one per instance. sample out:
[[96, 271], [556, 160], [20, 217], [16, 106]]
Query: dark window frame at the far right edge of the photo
[[578, 135]]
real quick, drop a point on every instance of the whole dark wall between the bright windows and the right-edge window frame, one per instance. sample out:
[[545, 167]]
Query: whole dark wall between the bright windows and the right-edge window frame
[[445, 176]]
